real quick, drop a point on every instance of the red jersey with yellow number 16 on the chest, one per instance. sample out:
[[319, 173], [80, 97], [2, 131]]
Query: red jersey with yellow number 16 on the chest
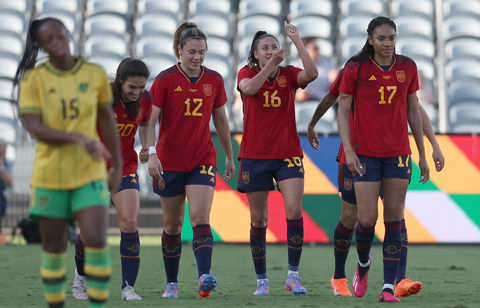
[[269, 128]]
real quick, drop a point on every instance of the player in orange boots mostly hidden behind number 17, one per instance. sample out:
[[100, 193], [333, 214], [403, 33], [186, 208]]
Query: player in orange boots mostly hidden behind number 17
[[348, 218]]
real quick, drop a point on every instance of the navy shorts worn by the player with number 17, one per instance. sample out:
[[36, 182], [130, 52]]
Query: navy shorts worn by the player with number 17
[[386, 167]]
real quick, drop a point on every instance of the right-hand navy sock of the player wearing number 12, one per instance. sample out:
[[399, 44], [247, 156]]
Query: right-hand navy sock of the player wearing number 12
[[202, 248]]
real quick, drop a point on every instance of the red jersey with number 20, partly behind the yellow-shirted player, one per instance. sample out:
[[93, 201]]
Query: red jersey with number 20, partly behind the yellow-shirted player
[[127, 128]]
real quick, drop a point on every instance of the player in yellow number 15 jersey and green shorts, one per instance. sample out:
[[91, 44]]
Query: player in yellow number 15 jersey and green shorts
[[60, 104]]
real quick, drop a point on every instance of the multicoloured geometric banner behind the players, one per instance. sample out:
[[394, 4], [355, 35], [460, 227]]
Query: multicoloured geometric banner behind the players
[[445, 210]]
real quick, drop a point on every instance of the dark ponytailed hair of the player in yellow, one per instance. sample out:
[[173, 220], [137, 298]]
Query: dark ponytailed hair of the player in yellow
[[31, 49]]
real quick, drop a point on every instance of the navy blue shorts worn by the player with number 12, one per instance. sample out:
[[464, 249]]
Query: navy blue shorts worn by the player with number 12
[[174, 183]]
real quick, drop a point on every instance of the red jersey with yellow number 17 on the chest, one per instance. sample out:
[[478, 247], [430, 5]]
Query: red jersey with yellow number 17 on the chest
[[380, 96]]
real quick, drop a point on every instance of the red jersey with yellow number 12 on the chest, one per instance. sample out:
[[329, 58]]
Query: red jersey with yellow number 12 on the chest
[[184, 141]]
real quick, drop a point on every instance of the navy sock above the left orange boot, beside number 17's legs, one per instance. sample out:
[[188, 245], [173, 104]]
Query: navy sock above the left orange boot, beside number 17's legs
[[342, 239]]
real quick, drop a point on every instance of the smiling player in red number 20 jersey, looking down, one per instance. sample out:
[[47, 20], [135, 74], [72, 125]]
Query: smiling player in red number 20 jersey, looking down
[[133, 107]]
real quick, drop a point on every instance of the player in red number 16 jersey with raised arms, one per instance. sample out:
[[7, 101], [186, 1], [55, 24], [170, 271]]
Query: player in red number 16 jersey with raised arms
[[270, 147]]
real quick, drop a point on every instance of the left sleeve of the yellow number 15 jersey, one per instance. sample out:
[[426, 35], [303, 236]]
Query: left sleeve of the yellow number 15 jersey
[[29, 93]]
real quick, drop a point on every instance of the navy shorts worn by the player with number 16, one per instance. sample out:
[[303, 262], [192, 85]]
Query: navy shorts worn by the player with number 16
[[258, 174]]
